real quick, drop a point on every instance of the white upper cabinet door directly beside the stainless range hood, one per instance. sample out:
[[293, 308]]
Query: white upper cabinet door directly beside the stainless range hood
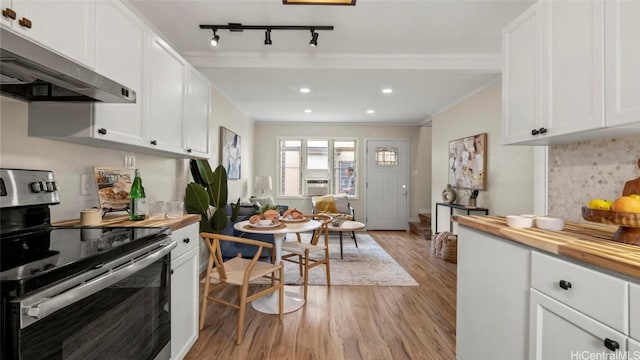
[[120, 41]]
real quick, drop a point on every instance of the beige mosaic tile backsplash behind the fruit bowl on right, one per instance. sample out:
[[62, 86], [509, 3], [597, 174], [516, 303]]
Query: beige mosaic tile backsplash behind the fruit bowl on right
[[589, 169]]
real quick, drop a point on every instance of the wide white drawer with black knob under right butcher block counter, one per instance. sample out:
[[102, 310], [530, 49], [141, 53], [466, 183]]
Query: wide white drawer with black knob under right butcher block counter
[[598, 295]]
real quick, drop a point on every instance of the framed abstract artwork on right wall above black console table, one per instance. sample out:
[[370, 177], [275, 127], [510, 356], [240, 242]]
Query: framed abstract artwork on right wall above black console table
[[468, 162]]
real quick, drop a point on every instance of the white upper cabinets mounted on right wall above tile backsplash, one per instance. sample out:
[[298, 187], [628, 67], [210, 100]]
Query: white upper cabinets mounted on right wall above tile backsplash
[[569, 68]]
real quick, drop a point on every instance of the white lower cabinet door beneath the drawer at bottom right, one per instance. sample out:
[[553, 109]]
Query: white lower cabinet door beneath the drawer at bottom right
[[560, 332]]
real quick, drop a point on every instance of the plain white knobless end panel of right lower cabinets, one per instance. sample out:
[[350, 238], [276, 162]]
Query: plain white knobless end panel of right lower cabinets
[[492, 297]]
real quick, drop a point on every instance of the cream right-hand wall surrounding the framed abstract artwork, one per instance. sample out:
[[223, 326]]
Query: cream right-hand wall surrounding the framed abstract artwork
[[509, 168]]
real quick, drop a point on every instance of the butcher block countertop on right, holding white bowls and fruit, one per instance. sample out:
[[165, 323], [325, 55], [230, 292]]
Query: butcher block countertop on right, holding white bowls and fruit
[[590, 243]]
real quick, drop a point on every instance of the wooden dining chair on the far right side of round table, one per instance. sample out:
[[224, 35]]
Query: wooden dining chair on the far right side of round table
[[299, 252]]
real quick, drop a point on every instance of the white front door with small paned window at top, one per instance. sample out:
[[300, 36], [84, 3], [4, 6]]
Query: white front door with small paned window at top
[[387, 184]]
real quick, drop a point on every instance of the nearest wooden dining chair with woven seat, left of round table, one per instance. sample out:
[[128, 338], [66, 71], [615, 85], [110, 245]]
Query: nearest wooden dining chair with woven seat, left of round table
[[239, 272]]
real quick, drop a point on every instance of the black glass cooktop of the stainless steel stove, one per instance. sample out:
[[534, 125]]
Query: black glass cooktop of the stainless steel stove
[[34, 260]]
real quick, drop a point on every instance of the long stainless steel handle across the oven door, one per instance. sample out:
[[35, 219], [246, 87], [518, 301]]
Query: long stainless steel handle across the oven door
[[48, 306]]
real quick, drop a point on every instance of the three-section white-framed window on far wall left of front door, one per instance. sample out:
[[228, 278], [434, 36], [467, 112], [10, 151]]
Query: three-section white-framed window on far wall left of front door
[[302, 159]]
